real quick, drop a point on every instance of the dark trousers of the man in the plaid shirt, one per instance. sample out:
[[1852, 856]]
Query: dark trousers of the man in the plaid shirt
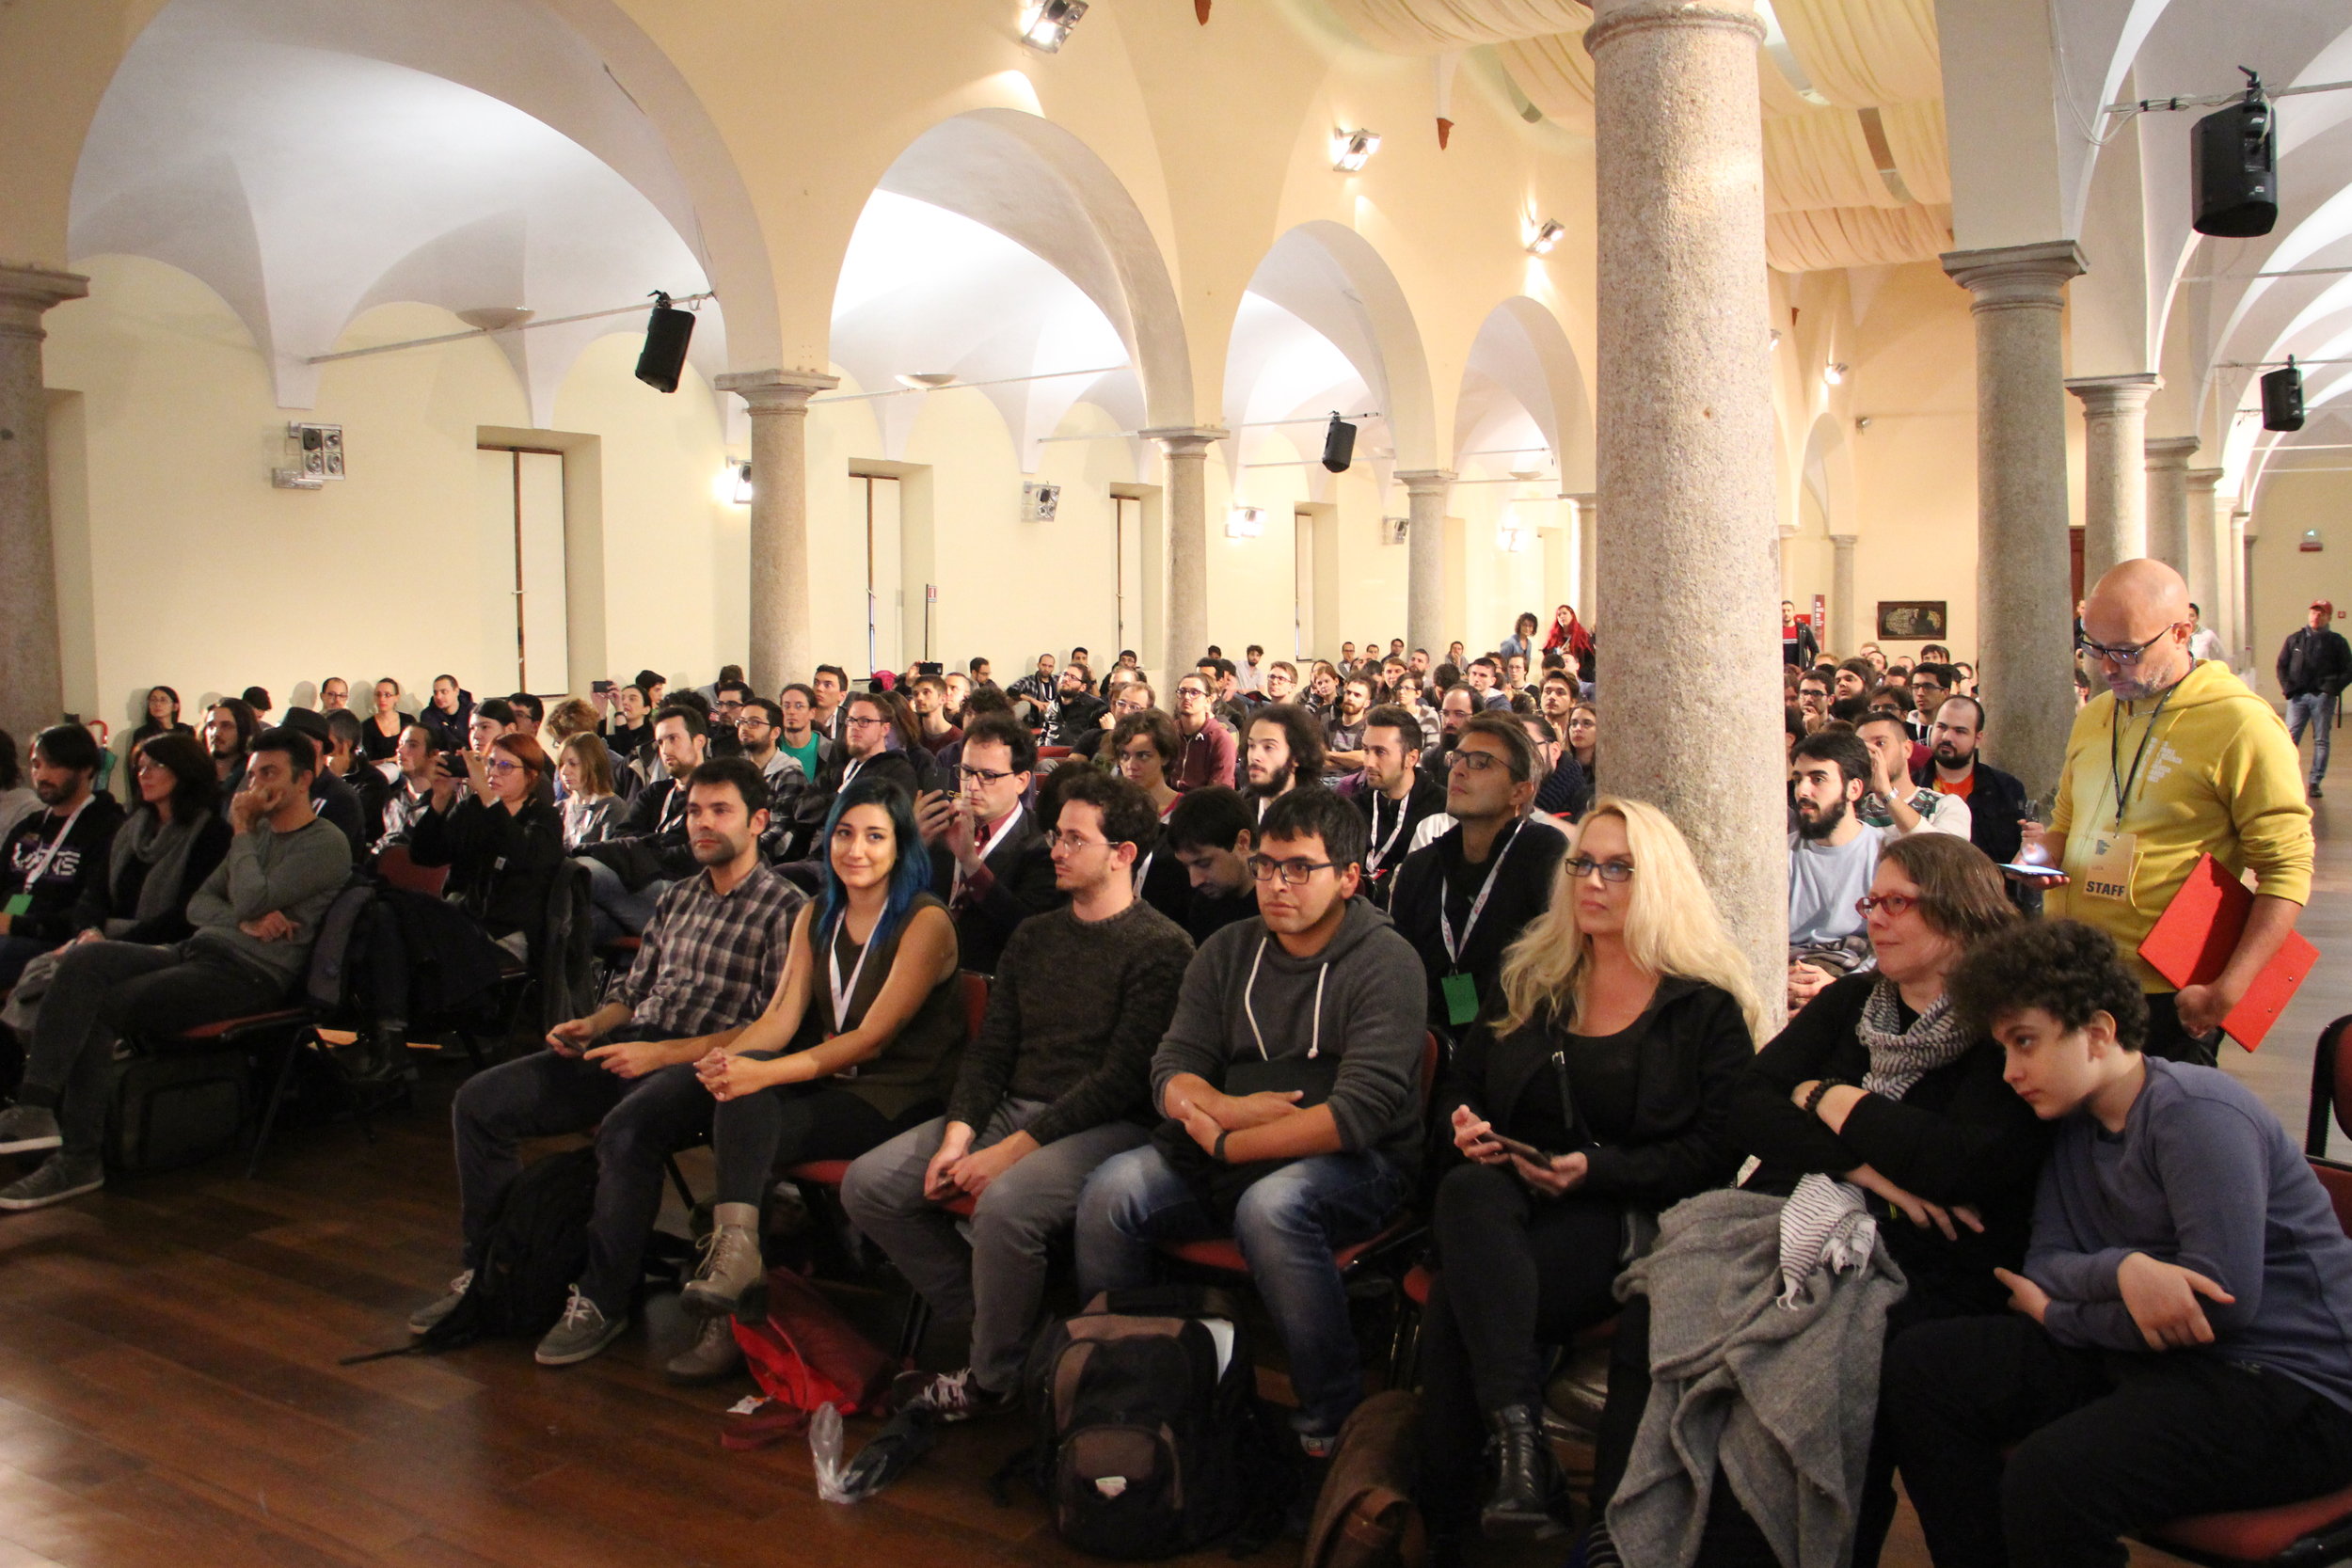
[[639, 1125]]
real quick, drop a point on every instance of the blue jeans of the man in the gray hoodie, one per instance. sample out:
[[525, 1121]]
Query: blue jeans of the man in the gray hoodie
[[1288, 1226]]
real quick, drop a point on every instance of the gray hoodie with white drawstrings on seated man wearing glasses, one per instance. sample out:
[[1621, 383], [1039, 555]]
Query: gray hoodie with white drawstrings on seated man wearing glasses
[[1361, 1000]]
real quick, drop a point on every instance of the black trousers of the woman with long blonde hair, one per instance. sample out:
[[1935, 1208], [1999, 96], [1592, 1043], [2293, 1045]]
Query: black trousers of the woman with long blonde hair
[[1514, 1273]]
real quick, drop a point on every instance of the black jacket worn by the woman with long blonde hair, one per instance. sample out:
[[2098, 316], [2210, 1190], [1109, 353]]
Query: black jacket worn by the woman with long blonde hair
[[1695, 1052]]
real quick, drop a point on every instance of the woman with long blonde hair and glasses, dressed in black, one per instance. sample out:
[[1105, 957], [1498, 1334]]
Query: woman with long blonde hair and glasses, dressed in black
[[1593, 1099]]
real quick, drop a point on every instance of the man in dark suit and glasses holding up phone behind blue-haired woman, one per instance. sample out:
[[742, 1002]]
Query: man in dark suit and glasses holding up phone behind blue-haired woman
[[989, 857]]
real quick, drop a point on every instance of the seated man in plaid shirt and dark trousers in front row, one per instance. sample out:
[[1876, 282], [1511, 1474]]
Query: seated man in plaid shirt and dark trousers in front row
[[711, 958]]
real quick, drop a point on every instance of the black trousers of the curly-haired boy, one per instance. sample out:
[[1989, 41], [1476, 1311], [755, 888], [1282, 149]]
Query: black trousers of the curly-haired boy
[[2104, 1442]]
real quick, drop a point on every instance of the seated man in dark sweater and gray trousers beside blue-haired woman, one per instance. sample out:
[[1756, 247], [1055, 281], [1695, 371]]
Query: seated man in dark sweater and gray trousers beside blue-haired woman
[[1057, 1083]]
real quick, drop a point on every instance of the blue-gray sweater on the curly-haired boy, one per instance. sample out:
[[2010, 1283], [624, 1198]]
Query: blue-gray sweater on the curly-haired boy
[[2203, 1177]]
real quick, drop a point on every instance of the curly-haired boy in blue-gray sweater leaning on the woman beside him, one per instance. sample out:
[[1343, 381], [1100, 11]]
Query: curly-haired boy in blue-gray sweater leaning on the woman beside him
[[2181, 1336]]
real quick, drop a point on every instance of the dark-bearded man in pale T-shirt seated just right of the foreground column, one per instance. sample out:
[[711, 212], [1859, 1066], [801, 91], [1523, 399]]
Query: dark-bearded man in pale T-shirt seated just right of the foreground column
[[1831, 862]]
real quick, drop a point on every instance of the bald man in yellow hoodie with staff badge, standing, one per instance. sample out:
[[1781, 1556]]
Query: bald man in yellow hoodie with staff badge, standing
[[2172, 763]]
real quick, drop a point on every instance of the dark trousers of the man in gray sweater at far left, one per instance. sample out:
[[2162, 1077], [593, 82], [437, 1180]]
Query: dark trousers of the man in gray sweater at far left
[[107, 991]]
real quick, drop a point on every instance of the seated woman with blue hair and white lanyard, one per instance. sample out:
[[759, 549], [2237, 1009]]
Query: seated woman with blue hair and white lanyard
[[860, 1043]]
